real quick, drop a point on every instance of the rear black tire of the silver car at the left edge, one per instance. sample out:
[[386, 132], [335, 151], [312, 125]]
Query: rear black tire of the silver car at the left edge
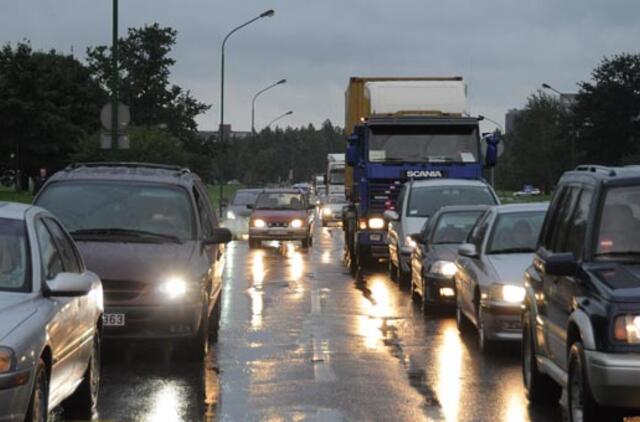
[[83, 403]]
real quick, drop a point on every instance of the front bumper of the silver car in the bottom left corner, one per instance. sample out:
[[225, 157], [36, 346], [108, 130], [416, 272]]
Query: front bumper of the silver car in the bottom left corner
[[15, 395]]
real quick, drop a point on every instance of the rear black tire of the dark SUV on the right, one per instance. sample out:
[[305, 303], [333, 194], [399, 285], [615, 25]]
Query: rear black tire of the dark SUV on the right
[[539, 388]]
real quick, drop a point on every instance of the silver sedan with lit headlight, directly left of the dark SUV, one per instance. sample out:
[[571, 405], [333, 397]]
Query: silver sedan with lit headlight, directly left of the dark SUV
[[490, 271]]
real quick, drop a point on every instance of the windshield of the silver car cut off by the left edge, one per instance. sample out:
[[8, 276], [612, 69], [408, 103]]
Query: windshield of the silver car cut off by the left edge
[[14, 256]]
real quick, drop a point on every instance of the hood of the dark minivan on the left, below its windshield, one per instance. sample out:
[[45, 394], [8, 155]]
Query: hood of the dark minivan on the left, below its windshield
[[136, 261]]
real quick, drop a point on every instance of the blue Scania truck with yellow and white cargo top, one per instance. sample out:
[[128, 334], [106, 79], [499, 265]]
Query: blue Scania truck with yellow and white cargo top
[[400, 129]]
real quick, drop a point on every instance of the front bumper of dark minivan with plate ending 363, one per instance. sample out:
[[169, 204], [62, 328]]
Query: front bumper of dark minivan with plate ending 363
[[158, 322]]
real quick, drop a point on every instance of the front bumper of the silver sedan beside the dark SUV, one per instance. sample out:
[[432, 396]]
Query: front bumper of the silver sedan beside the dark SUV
[[502, 322]]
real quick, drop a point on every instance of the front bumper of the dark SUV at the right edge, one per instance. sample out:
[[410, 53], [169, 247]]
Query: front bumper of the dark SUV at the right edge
[[614, 378]]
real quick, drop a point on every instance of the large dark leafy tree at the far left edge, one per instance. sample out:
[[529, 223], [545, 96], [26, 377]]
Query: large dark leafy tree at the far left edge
[[48, 102]]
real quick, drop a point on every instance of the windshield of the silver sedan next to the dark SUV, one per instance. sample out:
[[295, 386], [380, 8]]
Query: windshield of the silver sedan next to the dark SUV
[[515, 232]]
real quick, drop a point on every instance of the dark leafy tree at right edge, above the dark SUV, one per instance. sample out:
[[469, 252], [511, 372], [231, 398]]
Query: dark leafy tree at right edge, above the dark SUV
[[607, 112]]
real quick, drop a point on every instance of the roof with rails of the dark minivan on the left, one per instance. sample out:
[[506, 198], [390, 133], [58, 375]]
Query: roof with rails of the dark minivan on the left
[[120, 171]]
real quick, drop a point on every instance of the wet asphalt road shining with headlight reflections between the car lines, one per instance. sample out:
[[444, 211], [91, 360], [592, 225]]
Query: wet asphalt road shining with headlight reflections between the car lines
[[301, 340]]
